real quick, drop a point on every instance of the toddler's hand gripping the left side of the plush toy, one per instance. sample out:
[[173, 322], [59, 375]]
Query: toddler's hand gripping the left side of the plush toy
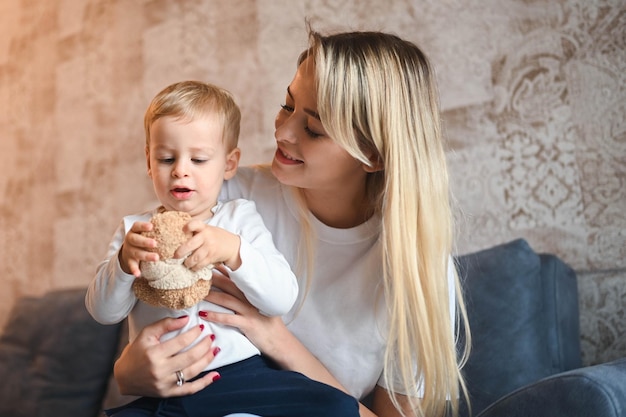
[[136, 248]]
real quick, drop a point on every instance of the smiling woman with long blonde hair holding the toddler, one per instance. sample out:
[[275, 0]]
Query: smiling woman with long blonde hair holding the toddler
[[357, 200]]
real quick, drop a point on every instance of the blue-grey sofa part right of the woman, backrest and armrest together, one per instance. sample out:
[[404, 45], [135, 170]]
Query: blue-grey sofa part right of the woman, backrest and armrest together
[[526, 359]]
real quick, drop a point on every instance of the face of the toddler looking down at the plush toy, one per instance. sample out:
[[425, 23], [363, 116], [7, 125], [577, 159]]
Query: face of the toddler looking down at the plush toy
[[188, 161]]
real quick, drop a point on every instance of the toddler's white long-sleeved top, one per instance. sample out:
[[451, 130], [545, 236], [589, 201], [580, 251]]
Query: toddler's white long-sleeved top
[[264, 277]]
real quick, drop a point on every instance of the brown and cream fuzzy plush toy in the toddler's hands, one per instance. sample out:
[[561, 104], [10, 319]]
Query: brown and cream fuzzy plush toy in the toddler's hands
[[168, 282]]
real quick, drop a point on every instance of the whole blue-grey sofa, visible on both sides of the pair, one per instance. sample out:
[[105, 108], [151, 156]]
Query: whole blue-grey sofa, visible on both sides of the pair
[[525, 361]]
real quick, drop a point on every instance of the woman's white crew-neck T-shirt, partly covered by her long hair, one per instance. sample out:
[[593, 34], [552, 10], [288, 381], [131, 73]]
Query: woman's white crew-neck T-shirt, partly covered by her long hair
[[342, 320]]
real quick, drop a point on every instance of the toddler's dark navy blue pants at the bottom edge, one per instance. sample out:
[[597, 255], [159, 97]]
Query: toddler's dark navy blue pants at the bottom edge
[[252, 386]]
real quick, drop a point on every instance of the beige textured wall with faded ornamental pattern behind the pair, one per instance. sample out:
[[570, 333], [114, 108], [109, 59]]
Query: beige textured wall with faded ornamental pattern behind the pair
[[534, 98]]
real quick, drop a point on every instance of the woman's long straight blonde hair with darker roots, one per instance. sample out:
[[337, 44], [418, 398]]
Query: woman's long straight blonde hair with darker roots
[[377, 98]]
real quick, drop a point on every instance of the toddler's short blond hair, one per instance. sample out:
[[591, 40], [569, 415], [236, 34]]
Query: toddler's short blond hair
[[193, 99]]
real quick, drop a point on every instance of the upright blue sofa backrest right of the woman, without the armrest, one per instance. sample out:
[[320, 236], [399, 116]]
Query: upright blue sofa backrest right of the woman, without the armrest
[[523, 314]]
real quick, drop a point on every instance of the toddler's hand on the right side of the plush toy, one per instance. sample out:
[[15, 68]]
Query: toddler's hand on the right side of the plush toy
[[209, 245]]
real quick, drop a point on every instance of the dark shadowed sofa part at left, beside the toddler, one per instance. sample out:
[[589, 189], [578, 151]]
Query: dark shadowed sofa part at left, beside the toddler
[[54, 358]]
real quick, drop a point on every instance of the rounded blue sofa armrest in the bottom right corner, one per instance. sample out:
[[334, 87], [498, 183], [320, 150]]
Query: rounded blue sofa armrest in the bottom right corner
[[598, 391]]
